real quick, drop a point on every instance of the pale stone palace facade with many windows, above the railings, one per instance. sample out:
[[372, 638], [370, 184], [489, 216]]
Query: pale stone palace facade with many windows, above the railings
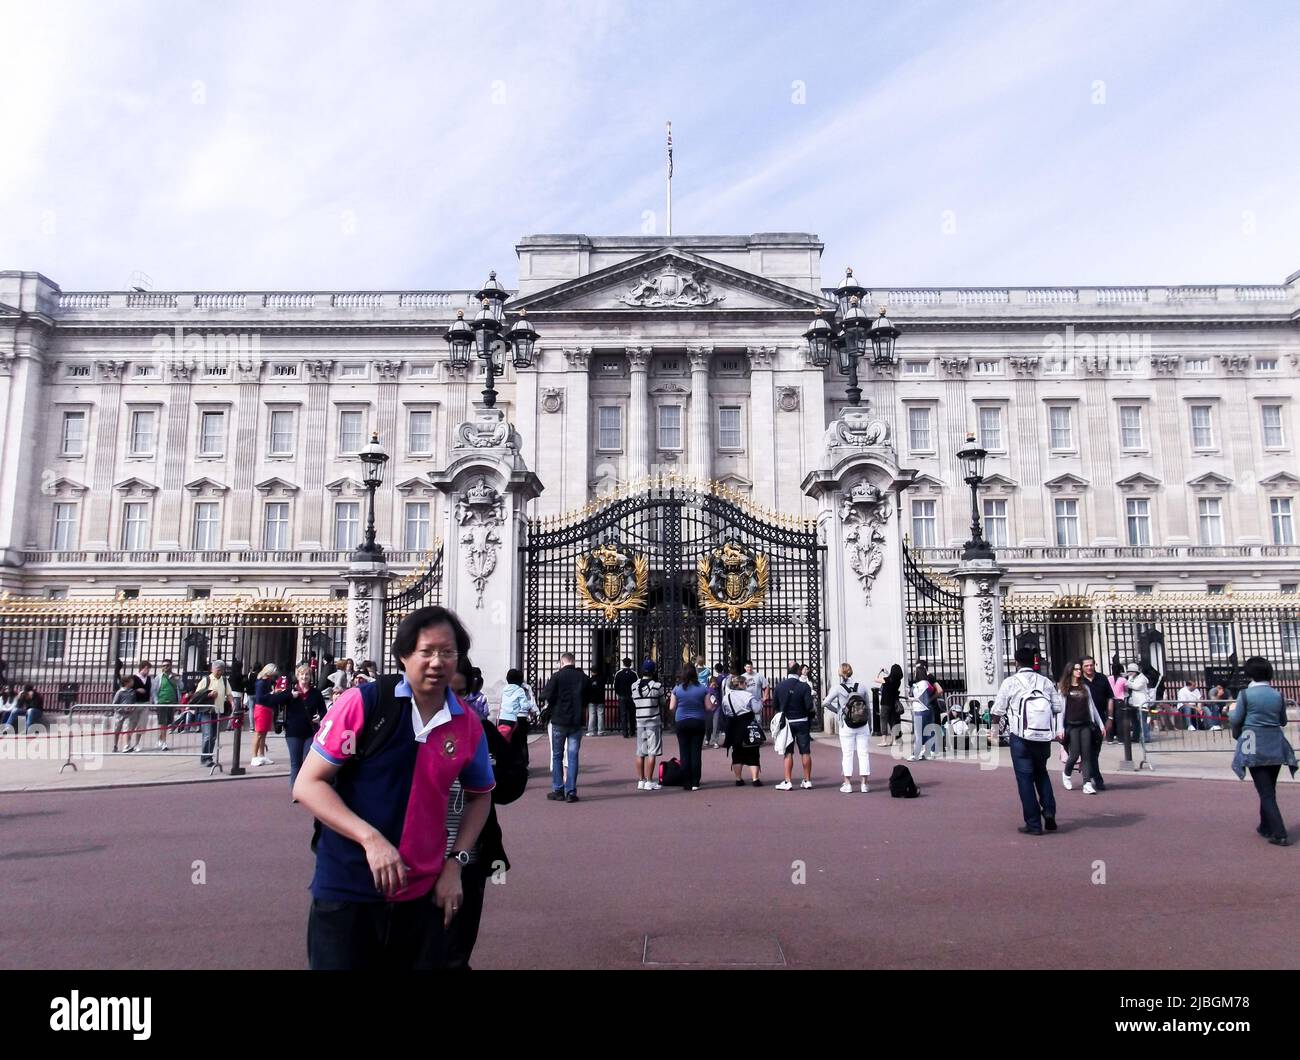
[[176, 444]]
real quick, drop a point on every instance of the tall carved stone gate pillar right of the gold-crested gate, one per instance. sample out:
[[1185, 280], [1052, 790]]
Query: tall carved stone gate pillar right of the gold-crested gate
[[857, 488]]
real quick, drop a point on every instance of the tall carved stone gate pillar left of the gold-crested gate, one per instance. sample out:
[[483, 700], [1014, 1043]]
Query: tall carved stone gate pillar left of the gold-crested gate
[[488, 488]]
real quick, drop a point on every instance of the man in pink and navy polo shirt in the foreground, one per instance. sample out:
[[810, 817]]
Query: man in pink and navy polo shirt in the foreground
[[383, 873]]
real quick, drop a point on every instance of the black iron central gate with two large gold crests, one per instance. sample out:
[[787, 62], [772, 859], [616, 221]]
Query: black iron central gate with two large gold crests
[[670, 573]]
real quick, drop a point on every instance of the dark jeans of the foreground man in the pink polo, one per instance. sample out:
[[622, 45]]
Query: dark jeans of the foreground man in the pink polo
[[376, 936]]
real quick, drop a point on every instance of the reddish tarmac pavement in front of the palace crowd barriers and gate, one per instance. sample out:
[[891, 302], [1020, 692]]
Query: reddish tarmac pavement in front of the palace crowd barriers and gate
[[627, 879]]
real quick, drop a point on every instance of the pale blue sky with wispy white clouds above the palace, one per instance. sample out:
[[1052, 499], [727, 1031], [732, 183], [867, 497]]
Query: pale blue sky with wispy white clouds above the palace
[[409, 146]]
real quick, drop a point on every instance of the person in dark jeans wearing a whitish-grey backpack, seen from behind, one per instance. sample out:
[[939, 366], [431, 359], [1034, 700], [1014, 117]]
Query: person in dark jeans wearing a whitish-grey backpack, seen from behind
[[1035, 713]]
